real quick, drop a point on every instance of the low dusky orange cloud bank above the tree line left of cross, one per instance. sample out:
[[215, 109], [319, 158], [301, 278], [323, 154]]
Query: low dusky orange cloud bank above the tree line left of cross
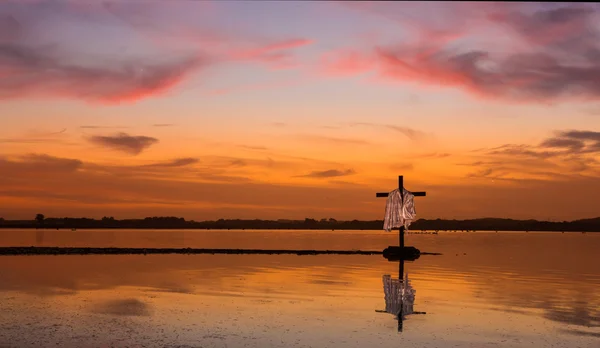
[[199, 192]]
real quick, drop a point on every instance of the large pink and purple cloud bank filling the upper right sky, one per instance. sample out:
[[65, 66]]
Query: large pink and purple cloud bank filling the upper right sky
[[551, 56]]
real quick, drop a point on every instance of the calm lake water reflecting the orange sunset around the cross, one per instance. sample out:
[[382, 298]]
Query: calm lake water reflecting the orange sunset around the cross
[[486, 290]]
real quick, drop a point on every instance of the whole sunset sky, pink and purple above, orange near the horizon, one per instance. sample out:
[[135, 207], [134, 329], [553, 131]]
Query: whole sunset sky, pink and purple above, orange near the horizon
[[268, 110]]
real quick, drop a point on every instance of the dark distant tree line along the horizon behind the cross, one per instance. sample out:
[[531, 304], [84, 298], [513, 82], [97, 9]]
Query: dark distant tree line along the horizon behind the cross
[[171, 222]]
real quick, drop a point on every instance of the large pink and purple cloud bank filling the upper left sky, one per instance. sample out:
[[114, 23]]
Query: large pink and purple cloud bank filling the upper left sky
[[152, 56]]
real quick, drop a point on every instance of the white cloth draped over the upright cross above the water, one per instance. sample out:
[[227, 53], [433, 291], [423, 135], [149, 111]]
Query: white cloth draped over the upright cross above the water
[[398, 213]]
